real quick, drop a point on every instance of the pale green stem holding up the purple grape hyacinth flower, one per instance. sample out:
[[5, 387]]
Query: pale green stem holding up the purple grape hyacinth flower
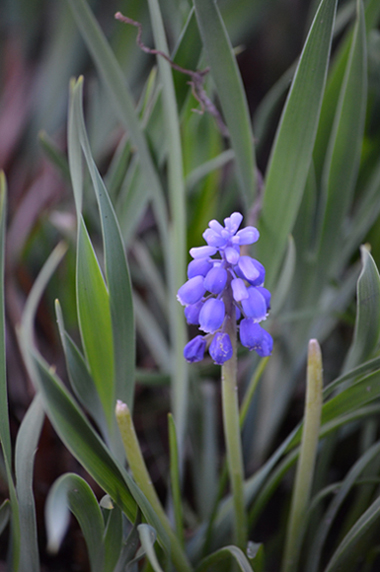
[[232, 428]]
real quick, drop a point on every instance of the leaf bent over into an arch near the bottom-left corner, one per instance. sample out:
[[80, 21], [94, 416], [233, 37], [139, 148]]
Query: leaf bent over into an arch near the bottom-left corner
[[72, 492]]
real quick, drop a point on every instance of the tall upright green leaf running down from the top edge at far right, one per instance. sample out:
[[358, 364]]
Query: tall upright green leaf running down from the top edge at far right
[[343, 155]]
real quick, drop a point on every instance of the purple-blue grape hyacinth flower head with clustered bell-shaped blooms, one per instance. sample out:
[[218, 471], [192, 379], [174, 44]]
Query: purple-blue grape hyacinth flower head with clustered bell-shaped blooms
[[218, 287]]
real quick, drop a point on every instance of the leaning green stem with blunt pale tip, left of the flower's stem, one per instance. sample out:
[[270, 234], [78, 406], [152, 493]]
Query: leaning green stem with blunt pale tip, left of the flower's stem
[[143, 480]]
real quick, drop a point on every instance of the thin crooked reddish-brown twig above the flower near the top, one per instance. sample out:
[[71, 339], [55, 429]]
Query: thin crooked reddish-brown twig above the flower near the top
[[197, 77]]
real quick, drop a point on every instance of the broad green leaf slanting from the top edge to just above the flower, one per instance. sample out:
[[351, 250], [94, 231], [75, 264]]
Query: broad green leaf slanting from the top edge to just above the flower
[[231, 93]]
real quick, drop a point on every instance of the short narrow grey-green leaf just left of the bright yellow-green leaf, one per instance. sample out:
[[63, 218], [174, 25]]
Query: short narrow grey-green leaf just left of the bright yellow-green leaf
[[79, 375]]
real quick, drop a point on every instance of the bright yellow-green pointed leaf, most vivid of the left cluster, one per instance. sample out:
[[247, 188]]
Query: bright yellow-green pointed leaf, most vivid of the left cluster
[[95, 320]]
